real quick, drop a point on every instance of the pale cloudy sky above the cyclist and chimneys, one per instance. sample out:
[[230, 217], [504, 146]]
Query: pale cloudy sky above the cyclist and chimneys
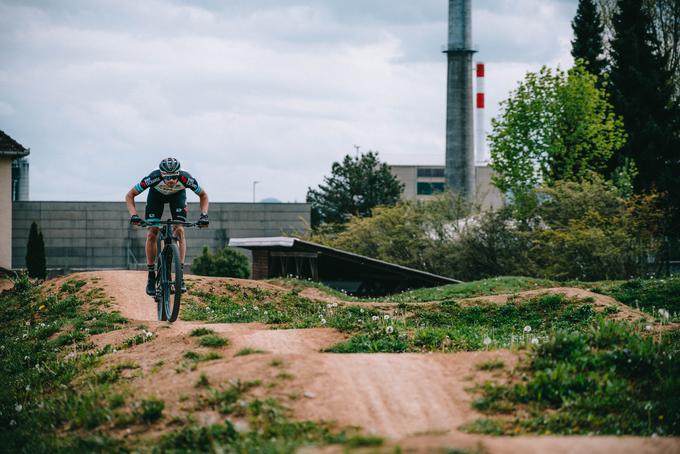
[[239, 91]]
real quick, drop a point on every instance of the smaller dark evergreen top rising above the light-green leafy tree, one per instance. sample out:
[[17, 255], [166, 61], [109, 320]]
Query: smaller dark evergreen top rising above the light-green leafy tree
[[588, 37]]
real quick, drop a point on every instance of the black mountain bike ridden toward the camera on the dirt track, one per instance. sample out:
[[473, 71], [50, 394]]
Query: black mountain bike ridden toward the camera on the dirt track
[[168, 269]]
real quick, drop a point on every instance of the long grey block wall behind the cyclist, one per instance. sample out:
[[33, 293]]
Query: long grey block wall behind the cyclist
[[98, 235]]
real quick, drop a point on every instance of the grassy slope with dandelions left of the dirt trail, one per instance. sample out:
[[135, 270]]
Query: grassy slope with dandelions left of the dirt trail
[[57, 397]]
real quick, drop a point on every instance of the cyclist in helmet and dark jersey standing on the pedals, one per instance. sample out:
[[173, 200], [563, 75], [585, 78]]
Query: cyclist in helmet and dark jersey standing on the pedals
[[167, 184]]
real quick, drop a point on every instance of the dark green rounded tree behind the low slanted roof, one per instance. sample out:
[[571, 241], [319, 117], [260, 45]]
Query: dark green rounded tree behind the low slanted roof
[[355, 187]]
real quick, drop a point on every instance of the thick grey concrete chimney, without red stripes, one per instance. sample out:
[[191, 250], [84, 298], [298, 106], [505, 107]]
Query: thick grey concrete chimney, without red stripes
[[460, 159]]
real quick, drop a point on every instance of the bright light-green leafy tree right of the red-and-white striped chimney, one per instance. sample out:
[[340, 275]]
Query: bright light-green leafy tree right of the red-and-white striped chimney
[[554, 126]]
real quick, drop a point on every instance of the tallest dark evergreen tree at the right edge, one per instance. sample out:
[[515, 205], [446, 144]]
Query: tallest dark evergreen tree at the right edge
[[642, 90]]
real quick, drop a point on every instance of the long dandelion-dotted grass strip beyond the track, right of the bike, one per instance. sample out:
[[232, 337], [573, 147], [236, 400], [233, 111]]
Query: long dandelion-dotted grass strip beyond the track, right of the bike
[[412, 327]]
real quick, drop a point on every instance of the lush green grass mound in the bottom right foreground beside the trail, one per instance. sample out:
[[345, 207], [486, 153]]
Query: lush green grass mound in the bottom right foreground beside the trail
[[608, 379]]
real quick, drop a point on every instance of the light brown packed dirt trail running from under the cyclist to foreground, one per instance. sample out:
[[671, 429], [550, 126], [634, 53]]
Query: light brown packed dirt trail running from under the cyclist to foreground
[[415, 400]]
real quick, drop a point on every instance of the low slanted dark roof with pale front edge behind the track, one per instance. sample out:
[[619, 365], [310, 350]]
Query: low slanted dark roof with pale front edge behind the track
[[295, 244]]
